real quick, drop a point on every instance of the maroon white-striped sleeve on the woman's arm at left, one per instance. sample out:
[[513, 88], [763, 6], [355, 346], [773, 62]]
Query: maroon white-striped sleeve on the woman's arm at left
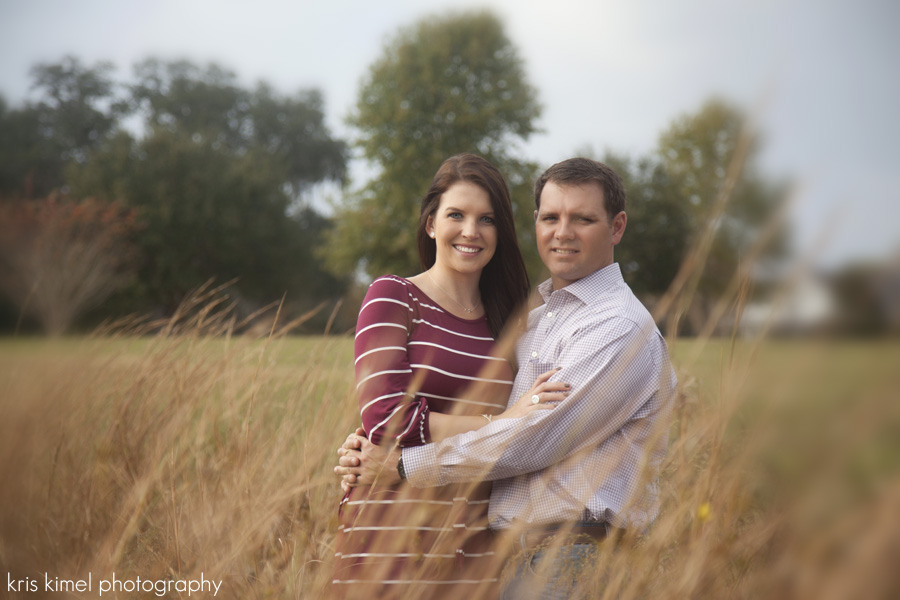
[[383, 373]]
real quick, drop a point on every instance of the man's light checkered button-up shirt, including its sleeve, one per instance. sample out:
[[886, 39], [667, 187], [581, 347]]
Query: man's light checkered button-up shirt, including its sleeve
[[589, 458]]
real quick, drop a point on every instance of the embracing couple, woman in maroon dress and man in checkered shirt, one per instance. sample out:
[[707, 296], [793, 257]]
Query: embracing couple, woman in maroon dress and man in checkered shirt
[[475, 455]]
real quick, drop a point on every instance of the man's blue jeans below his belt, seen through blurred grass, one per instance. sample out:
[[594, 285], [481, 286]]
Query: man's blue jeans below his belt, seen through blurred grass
[[550, 573]]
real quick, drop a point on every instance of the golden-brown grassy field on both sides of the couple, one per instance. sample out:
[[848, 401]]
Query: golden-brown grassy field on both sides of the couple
[[167, 457]]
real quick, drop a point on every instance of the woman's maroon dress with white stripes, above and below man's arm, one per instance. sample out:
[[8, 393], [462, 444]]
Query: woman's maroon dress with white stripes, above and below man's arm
[[412, 358]]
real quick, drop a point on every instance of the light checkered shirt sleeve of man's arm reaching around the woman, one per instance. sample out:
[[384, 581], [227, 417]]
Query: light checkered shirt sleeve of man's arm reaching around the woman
[[615, 371]]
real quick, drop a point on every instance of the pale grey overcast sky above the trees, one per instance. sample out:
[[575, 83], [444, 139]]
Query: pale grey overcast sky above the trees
[[819, 76]]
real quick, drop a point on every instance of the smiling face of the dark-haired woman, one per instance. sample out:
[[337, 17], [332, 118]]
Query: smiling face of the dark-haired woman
[[464, 229]]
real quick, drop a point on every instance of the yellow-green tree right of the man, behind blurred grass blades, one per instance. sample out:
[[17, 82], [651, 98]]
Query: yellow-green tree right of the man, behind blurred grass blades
[[710, 158]]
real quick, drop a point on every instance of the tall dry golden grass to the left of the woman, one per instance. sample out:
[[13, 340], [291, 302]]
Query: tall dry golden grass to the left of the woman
[[169, 457]]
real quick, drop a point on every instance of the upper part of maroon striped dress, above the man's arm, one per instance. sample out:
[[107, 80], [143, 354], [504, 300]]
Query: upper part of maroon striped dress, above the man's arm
[[414, 357]]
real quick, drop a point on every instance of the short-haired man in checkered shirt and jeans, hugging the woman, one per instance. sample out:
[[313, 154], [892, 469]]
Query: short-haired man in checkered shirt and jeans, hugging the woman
[[576, 473]]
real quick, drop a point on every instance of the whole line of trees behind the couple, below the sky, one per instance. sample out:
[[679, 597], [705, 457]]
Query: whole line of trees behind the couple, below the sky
[[192, 176]]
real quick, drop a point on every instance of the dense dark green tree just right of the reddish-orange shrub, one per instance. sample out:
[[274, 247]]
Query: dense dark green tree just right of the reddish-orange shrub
[[208, 213]]
